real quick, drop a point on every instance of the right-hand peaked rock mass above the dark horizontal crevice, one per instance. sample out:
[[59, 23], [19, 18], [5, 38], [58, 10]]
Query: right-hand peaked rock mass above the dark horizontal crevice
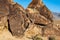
[[43, 13]]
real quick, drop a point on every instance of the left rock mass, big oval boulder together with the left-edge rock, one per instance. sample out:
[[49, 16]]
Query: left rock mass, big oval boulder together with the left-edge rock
[[15, 15]]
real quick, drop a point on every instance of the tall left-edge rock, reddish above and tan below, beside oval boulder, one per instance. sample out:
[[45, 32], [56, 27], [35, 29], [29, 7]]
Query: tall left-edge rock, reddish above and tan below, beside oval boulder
[[4, 11]]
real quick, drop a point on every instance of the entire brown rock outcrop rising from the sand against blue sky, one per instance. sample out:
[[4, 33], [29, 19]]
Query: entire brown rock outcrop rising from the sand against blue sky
[[35, 20]]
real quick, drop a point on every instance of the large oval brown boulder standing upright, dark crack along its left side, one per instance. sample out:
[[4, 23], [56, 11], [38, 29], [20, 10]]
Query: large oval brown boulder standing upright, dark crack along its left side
[[17, 19]]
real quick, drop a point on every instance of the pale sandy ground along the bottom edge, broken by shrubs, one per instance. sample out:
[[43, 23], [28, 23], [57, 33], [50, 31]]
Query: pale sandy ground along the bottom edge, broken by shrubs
[[6, 35]]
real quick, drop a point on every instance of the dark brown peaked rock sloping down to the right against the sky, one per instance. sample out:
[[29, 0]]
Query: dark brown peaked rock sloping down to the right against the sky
[[41, 8]]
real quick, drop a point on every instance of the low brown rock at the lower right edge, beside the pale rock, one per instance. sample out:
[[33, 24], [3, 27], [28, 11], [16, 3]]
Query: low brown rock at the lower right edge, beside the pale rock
[[51, 31]]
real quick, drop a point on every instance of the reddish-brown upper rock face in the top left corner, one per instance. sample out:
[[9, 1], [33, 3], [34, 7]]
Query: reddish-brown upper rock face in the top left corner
[[4, 8]]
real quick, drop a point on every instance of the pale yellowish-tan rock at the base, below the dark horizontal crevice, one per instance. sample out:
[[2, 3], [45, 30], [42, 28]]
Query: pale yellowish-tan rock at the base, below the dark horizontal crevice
[[33, 30]]
